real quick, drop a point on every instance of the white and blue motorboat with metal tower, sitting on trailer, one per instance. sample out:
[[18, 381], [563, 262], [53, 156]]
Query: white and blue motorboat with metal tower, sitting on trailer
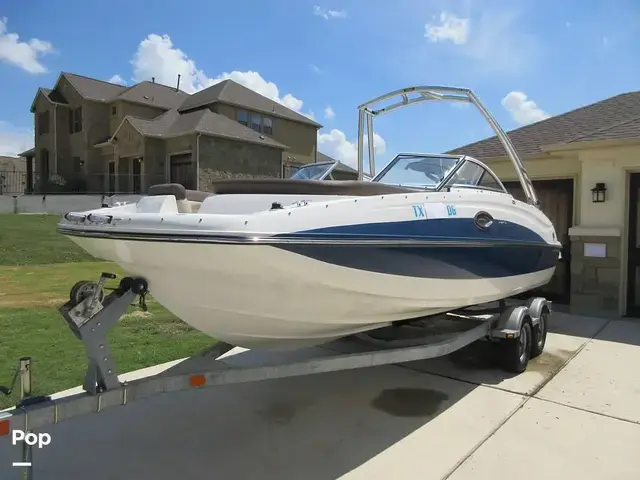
[[287, 263]]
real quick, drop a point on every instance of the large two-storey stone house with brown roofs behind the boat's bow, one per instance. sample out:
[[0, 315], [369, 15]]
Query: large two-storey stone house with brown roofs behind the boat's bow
[[96, 136]]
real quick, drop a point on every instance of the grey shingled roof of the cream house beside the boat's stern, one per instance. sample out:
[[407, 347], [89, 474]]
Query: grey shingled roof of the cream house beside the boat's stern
[[613, 118]]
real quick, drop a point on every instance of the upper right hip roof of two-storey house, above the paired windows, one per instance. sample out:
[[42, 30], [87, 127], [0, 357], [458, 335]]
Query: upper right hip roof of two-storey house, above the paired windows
[[233, 93]]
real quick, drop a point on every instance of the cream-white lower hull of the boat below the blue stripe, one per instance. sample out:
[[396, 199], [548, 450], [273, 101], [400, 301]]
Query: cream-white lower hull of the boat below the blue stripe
[[252, 296]]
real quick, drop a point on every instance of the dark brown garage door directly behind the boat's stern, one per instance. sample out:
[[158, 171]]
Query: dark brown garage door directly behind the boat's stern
[[556, 201]]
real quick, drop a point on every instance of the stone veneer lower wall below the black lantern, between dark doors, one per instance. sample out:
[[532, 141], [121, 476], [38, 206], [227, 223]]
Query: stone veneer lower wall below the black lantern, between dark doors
[[595, 282]]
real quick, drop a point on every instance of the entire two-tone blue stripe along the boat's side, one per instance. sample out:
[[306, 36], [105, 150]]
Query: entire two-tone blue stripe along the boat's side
[[505, 249]]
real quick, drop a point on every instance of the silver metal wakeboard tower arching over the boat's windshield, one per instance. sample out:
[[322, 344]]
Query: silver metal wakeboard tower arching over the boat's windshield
[[419, 94]]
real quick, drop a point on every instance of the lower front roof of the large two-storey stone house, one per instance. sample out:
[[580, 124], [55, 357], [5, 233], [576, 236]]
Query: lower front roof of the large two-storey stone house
[[172, 124]]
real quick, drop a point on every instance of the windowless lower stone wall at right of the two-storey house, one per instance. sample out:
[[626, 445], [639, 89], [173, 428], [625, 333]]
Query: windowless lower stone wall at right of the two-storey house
[[223, 158]]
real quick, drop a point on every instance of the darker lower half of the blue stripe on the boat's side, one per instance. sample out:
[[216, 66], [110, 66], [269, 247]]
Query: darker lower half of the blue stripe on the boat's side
[[446, 262]]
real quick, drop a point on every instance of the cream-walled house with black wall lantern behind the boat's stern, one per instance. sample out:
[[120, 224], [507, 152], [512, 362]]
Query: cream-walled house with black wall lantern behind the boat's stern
[[585, 167]]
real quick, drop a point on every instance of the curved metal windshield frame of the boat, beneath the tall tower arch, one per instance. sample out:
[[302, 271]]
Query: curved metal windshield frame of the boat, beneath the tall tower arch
[[446, 180]]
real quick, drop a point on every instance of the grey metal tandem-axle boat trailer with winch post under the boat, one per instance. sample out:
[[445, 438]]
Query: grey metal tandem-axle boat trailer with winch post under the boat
[[518, 330]]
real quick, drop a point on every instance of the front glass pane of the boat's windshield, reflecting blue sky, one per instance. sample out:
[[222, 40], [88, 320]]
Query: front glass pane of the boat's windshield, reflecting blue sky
[[417, 170]]
